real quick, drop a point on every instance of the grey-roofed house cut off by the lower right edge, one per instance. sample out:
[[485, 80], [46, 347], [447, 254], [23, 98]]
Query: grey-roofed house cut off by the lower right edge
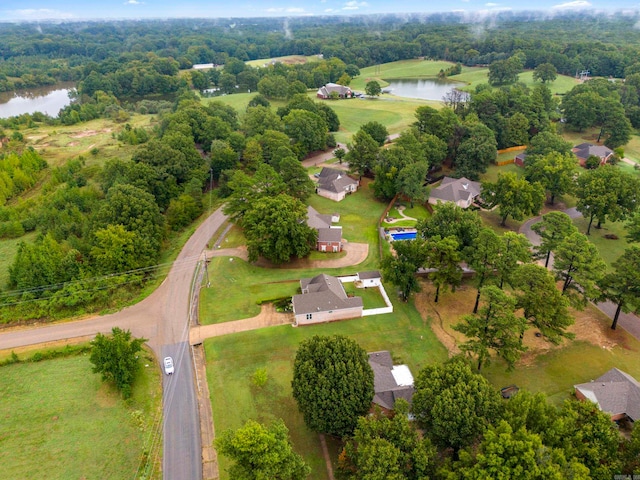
[[616, 393]]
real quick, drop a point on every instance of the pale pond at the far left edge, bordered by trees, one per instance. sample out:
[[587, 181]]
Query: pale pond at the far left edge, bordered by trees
[[48, 100]]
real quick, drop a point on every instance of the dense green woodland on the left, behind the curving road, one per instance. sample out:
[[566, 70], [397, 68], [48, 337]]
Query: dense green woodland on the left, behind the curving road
[[100, 232]]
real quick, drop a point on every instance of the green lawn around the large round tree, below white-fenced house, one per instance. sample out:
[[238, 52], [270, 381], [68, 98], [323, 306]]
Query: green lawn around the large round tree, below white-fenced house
[[233, 358]]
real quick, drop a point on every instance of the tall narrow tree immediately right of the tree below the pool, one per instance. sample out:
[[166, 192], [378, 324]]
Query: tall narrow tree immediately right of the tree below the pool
[[443, 259]]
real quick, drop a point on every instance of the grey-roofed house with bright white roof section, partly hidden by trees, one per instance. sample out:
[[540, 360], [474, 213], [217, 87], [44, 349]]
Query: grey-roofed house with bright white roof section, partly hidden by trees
[[390, 381]]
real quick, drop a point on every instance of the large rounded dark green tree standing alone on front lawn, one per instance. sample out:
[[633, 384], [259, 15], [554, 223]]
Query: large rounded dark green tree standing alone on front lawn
[[332, 383]]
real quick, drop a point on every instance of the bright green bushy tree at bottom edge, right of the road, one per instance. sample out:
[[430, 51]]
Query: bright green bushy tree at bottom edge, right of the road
[[262, 452]]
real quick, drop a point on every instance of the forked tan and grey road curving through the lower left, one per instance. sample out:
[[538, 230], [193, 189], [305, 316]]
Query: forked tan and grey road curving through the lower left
[[163, 318]]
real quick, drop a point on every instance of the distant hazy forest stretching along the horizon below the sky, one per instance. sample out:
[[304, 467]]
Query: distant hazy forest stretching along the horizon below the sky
[[43, 54]]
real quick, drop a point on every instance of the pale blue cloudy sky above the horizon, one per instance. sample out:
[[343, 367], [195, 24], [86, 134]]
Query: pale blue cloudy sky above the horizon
[[14, 10]]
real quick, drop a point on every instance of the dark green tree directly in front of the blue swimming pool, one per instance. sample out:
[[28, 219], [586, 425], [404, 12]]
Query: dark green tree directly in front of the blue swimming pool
[[401, 268]]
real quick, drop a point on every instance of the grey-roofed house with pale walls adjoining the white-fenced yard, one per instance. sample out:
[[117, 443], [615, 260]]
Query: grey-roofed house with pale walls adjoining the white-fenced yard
[[323, 299]]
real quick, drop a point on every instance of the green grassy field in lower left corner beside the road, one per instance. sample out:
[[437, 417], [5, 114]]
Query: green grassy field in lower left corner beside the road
[[61, 422]]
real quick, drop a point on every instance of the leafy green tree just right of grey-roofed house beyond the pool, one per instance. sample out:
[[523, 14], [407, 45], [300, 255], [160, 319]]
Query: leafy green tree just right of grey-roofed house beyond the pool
[[515, 196]]
